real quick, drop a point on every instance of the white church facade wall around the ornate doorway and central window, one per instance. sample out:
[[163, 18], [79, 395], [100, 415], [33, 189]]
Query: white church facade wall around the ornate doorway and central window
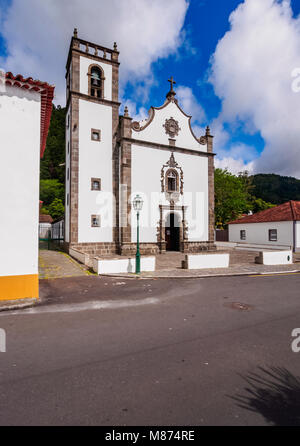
[[195, 169]]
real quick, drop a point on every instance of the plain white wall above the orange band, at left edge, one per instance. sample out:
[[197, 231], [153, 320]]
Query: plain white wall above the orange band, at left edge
[[20, 115]]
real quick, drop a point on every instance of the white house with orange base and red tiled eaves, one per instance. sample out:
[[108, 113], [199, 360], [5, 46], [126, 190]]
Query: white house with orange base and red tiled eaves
[[25, 112]]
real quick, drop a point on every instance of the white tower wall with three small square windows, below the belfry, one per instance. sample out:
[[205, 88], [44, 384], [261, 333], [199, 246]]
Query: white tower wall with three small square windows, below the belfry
[[95, 161]]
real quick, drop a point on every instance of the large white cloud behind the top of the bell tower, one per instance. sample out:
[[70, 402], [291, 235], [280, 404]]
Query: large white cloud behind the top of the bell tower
[[38, 34]]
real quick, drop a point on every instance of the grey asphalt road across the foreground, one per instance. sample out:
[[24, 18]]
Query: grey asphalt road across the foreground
[[154, 352]]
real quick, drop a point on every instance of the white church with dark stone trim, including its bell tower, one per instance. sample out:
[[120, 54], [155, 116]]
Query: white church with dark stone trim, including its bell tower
[[110, 159]]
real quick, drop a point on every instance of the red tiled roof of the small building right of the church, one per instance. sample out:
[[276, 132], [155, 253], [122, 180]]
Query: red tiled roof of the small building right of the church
[[289, 211]]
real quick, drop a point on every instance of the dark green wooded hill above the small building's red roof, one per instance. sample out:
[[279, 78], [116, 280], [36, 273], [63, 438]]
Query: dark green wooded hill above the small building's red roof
[[275, 188]]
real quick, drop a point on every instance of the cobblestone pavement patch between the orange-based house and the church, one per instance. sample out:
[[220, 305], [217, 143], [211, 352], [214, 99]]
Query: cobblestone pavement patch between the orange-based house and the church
[[56, 264]]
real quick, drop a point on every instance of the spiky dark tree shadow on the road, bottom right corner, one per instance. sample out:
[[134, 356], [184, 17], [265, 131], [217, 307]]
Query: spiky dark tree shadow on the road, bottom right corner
[[274, 393]]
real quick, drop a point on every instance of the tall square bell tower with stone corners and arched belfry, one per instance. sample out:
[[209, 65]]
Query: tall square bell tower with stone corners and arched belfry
[[92, 81]]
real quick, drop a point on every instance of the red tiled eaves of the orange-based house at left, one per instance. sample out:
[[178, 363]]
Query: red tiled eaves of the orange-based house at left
[[47, 94]]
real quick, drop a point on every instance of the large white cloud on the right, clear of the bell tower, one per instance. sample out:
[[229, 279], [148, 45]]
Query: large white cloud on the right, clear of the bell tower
[[251, 73]]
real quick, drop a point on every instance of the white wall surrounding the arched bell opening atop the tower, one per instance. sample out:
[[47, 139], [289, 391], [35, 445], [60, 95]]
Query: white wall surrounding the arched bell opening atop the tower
[[84, 78]]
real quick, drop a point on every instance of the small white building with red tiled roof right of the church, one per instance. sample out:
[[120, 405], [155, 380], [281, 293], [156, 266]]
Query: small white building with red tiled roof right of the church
[[279, 226]]
